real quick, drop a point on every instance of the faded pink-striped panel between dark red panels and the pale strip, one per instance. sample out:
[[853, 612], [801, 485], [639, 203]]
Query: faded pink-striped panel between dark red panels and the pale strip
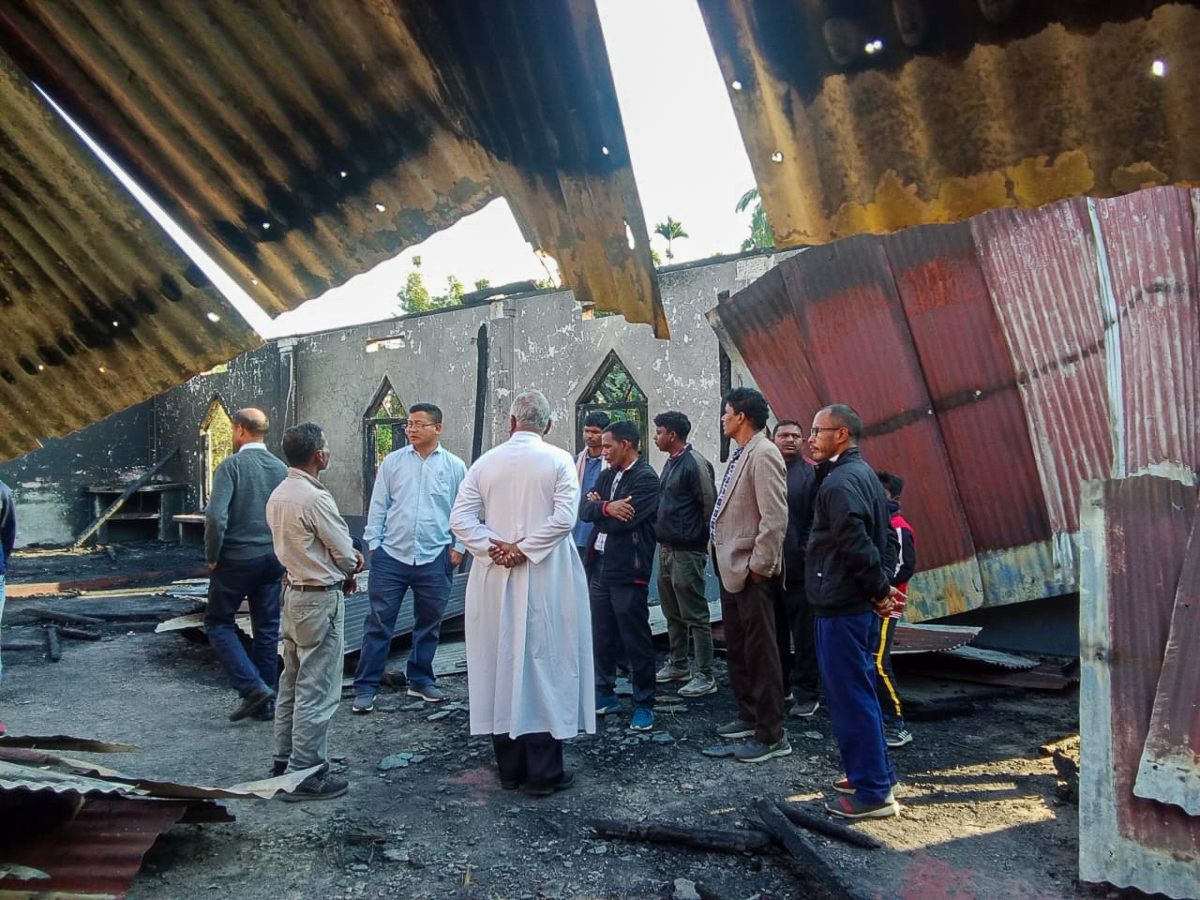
[[1042, 273]]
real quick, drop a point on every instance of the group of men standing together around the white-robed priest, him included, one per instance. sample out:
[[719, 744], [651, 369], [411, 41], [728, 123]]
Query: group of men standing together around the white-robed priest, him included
[[805, 557]]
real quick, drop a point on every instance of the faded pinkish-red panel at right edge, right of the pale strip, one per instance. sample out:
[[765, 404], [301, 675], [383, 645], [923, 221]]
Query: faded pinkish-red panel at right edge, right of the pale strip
[[1150, 244]]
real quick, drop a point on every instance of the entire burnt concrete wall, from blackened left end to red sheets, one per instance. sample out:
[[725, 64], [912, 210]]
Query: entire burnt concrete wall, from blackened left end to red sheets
[[539, 340]]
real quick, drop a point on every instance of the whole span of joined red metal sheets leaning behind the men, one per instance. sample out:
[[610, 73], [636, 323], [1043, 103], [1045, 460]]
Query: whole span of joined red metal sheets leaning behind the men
[[998, 365]]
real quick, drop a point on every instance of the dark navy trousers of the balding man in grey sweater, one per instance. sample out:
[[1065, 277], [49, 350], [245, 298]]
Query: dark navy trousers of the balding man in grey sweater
[[257, 581]]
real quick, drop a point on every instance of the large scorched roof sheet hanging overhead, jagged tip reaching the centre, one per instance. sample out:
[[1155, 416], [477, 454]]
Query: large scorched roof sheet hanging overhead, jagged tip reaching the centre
[[304, 143]]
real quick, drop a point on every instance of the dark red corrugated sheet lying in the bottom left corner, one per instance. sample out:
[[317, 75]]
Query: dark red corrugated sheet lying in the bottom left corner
[[98, 854]]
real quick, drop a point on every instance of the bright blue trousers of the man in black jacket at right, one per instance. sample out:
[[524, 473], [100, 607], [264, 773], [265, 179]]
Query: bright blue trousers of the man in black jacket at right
[[845, 656]]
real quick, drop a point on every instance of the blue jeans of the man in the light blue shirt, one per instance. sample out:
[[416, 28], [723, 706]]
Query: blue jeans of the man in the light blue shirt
[[389, 581]]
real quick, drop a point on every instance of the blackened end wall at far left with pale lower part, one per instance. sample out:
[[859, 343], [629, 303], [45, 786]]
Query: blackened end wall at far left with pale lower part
[[49, 484]]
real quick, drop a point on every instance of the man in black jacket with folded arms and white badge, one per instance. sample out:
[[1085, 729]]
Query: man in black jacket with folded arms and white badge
[[621, 555]]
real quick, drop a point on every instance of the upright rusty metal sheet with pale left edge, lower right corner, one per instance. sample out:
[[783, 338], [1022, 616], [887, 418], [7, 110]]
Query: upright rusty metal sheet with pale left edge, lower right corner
[[1133, 542]]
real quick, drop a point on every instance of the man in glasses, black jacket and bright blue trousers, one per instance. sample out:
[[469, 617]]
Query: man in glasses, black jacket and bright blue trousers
[[850, 559]]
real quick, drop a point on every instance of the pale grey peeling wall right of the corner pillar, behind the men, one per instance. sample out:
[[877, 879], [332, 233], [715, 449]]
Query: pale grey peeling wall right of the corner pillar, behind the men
[[535, 341]]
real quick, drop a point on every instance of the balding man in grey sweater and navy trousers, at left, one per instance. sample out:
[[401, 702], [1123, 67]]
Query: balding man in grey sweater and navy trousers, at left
[[238, 549]]
